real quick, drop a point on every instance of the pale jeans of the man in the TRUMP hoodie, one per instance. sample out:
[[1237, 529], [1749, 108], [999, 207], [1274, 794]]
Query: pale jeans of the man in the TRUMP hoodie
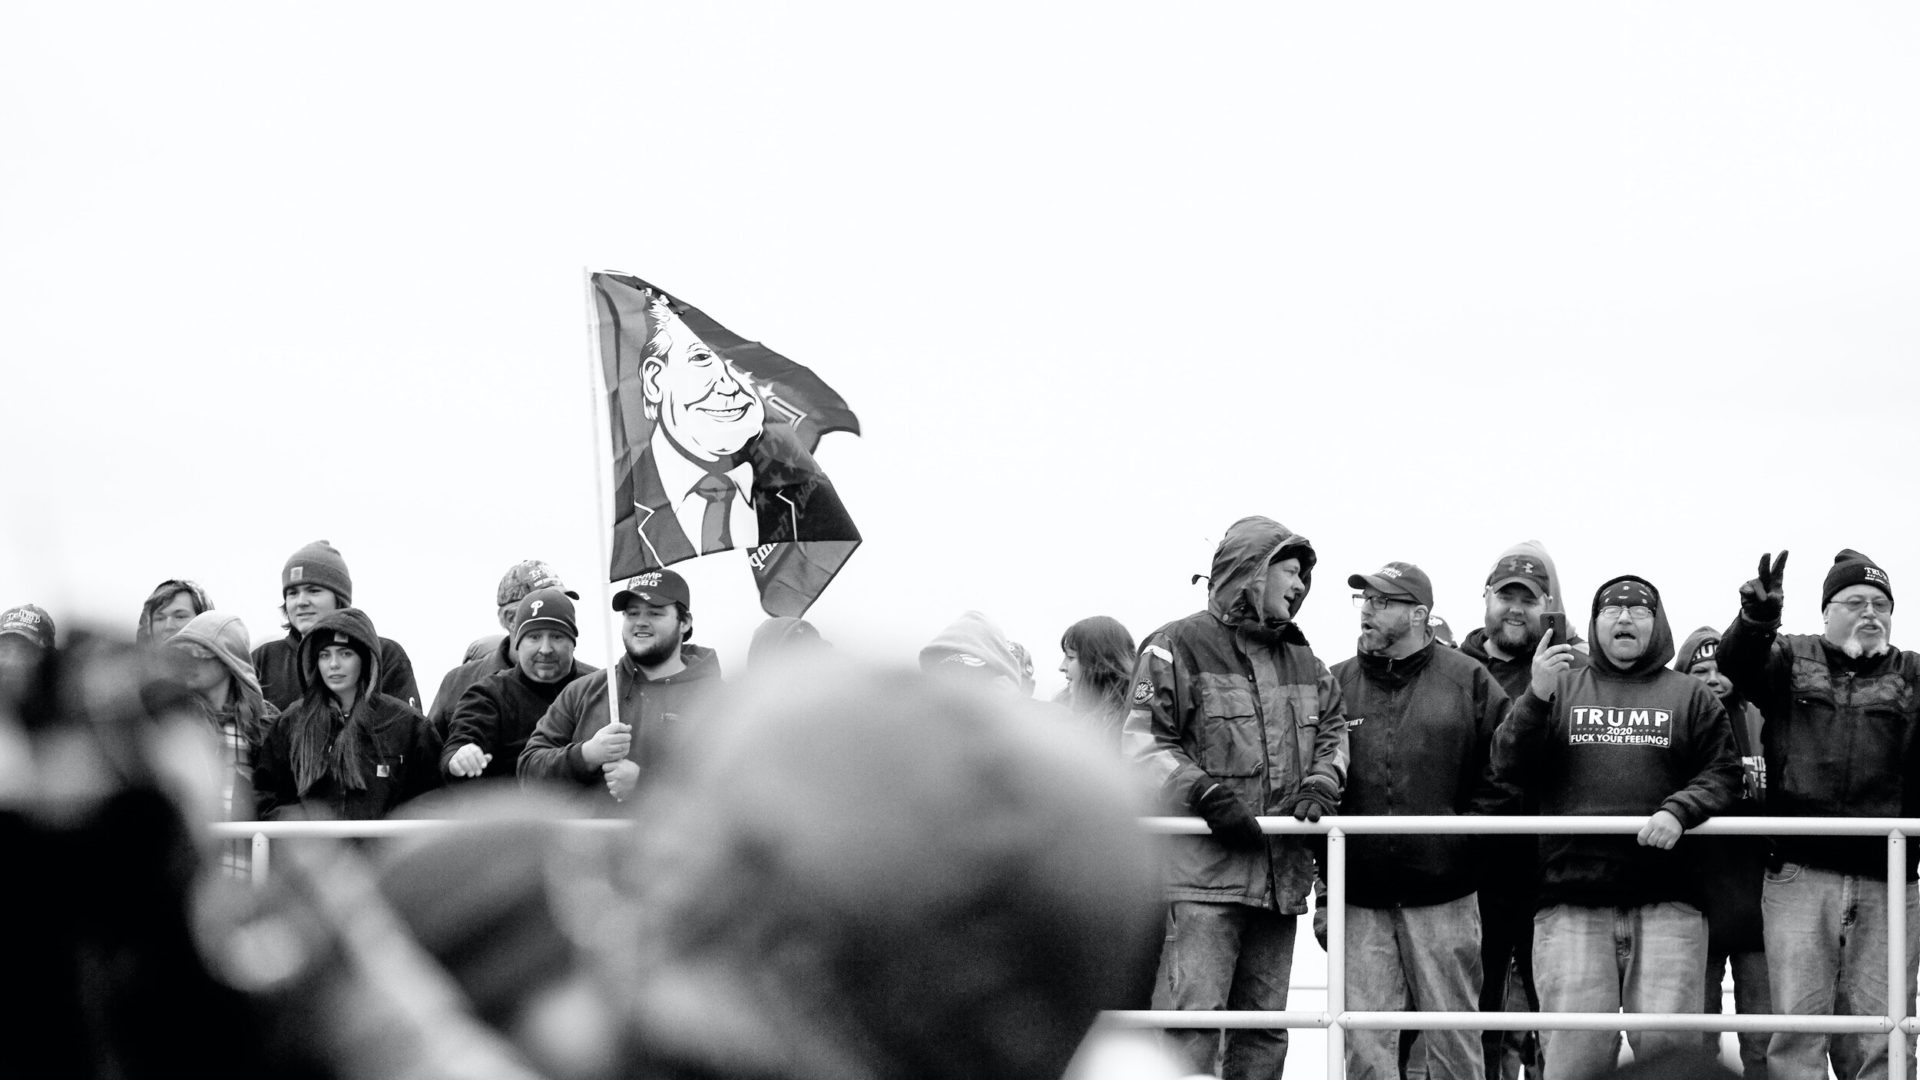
[[1602, 960]]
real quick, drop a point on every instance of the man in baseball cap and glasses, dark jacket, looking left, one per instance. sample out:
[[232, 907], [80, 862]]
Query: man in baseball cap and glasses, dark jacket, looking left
[[1422, 724]]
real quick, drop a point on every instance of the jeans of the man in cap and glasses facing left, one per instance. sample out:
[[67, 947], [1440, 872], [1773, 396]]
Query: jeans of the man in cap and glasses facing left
[[1422, 958]]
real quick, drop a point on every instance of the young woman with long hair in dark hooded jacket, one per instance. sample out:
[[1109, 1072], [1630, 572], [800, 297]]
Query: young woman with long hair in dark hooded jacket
[[345, 750]]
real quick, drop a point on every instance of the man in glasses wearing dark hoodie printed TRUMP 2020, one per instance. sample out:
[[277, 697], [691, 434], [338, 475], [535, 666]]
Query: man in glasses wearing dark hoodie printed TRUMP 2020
[[1620, 920]]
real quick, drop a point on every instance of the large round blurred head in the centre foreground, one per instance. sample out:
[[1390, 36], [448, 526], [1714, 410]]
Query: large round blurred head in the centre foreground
[[876, 873]]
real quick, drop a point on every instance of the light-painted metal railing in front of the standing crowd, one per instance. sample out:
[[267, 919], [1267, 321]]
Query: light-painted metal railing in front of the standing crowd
[[1337, 1019]]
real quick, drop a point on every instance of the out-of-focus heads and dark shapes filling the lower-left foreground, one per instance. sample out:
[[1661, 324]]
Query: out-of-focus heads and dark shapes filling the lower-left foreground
[[850, 873]]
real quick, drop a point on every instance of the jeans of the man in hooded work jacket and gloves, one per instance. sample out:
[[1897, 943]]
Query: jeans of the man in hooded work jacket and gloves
[[1228, 956]]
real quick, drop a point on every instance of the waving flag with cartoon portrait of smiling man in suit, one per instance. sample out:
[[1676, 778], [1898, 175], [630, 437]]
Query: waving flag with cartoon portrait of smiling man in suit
[[696, 408]]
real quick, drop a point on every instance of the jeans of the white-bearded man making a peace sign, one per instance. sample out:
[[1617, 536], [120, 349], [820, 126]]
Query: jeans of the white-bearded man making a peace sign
[[1827, 945]]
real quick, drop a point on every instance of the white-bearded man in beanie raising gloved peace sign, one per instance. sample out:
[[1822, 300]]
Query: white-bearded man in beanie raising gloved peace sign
[[1838, 735]]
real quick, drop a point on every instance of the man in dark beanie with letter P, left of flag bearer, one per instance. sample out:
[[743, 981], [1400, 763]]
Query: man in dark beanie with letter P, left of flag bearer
[[496, 716]]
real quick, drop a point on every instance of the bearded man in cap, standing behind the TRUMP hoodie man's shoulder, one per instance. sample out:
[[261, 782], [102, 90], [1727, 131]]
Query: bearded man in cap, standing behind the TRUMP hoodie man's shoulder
[[1522, 591]]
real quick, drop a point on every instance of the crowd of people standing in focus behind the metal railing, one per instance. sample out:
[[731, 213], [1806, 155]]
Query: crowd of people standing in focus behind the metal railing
[[1230, 716]]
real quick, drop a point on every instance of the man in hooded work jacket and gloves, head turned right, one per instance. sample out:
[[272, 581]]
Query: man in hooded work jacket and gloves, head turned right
[[1236, 718]]
